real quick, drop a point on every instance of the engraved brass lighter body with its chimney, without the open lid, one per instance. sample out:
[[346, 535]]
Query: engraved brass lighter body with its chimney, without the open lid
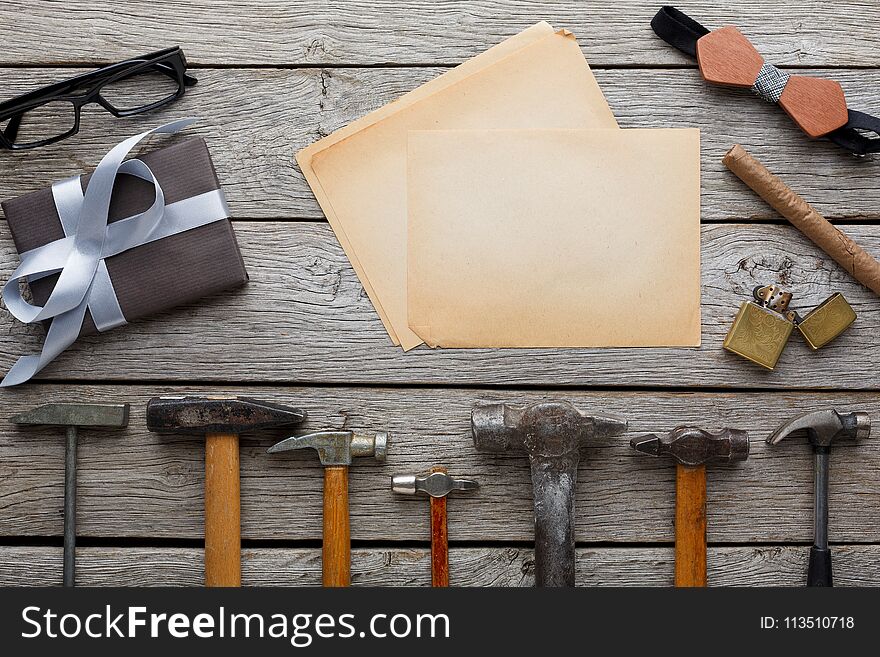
[[761, 330]]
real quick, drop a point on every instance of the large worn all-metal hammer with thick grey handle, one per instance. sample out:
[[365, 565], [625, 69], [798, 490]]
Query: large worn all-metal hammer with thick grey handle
[[551, 434]]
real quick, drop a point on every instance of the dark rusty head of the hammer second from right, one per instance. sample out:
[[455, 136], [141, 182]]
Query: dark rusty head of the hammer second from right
[[692, 446]]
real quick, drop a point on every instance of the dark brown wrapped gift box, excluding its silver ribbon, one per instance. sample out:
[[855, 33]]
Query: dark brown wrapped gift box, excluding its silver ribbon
[[157, 276]]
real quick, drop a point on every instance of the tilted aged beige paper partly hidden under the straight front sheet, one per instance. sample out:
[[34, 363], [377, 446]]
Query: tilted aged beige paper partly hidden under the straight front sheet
[[359, 173]]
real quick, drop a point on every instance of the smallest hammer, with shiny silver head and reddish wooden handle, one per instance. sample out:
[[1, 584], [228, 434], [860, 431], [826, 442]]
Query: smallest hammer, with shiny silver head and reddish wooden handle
[[437, 484]]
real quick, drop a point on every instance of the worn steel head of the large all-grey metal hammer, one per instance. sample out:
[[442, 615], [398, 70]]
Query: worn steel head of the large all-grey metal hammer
[[543, 429]]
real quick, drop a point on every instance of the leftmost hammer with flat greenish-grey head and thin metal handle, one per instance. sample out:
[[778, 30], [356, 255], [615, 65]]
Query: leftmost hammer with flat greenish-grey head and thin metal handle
[[73, 416]]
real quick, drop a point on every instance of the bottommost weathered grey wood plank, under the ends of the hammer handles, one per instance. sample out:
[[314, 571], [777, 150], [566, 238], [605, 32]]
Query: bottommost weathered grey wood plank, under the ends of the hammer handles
[[855, 565]]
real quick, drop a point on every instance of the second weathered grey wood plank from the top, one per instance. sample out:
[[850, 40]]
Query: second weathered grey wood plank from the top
[[255, 120]]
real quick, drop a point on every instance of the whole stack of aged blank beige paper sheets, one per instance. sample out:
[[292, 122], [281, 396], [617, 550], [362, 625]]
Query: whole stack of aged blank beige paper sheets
[[499, 205]]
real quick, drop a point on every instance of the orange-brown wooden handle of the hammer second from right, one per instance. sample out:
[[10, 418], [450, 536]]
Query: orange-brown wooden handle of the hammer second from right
[[690, 525]]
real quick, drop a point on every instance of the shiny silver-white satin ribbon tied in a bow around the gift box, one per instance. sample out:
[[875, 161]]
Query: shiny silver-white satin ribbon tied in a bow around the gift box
[[84, 282]]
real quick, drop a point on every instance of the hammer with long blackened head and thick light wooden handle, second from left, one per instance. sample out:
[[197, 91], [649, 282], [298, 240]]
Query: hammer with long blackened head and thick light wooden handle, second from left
[[221, 420]]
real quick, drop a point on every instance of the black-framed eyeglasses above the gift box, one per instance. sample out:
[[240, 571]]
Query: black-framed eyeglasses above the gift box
[[50, 114]]
